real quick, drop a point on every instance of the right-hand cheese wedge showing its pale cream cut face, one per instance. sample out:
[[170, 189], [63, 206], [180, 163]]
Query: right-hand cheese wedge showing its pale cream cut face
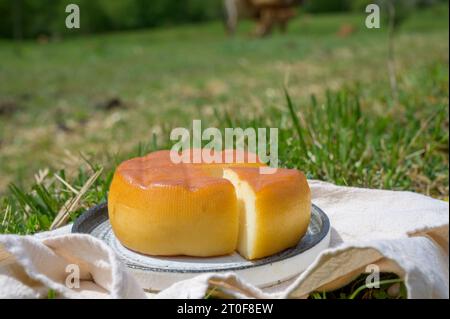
[[274, 210]]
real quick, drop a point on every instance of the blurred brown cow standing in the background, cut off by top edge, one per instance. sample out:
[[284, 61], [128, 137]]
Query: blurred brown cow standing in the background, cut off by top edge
[[267, 13]]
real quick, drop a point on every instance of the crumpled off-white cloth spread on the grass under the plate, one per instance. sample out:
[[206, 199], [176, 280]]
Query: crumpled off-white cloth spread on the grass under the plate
[[401, 232]]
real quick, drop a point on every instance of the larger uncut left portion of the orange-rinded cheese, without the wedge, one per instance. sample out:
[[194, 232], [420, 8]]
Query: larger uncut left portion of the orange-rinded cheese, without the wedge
[[158, 208]]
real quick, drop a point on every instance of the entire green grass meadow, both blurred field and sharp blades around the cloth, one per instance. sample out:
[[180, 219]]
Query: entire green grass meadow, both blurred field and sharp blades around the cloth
[[337, 123]]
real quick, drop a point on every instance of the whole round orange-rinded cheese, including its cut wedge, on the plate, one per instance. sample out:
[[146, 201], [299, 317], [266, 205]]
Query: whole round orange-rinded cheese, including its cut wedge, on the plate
[[160, 207]]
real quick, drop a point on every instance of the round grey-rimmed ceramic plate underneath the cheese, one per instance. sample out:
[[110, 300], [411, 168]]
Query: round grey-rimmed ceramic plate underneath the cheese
[[156, 273]]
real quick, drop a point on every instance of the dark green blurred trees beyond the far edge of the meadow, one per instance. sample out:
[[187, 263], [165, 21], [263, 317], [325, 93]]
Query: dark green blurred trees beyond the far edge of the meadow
[[32, 18]]
